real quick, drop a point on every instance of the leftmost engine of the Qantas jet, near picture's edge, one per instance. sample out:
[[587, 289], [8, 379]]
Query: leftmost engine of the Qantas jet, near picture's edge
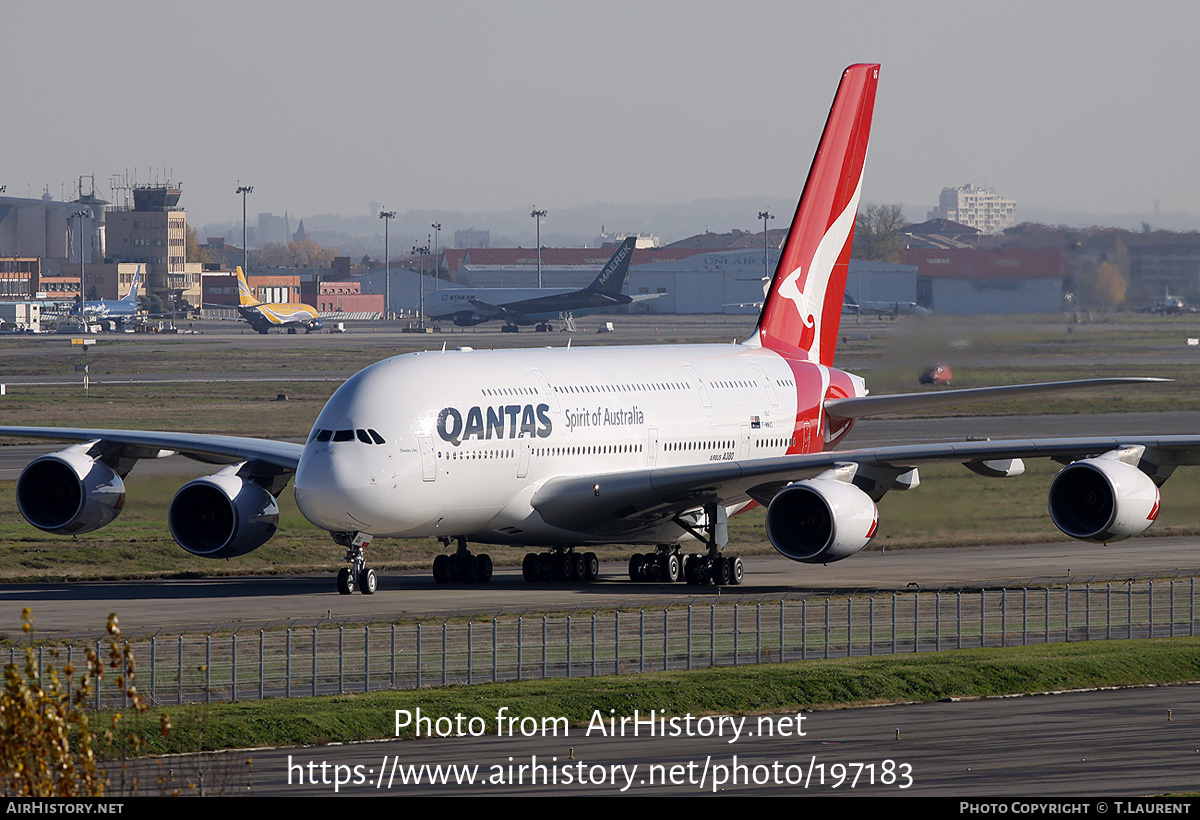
[[70, 493]]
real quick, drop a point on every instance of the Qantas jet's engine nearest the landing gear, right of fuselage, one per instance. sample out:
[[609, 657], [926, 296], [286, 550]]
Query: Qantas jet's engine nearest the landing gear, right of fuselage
[[821, 520]]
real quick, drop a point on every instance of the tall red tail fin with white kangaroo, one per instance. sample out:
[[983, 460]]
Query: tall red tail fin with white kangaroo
[[803, 307]]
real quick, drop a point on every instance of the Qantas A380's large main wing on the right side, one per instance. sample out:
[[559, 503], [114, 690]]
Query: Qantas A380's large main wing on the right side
[[619, 504]]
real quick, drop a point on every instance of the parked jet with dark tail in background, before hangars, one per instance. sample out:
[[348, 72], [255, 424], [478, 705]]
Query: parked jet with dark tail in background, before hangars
[[517, 307]]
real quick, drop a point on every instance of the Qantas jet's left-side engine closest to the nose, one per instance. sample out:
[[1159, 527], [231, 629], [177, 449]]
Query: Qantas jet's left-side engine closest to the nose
[[223, 517]]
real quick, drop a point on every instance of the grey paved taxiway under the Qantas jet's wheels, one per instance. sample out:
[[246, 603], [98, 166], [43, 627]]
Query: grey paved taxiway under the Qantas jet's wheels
[[170, 607]]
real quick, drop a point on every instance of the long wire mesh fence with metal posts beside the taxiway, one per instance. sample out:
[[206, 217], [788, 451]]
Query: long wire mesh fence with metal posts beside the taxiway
[[337, 660]]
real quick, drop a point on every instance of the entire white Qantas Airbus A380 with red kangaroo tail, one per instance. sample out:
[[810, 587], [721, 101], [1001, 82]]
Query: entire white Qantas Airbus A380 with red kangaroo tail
[[559, 450]]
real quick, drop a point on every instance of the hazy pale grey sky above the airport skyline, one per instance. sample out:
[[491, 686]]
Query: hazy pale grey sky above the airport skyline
[[472, 106]]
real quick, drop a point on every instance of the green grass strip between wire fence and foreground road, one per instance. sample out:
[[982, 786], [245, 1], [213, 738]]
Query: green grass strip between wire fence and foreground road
[[813, 685]]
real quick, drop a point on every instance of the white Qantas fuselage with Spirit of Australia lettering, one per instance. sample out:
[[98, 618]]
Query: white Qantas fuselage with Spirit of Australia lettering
[[470, 436]]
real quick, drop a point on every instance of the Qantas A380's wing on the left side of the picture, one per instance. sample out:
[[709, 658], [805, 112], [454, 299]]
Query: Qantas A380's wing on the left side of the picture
[[201, 447]]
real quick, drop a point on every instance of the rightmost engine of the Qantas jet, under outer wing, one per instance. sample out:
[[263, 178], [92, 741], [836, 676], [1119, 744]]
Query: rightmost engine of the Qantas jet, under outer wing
[[1102, 500]]
